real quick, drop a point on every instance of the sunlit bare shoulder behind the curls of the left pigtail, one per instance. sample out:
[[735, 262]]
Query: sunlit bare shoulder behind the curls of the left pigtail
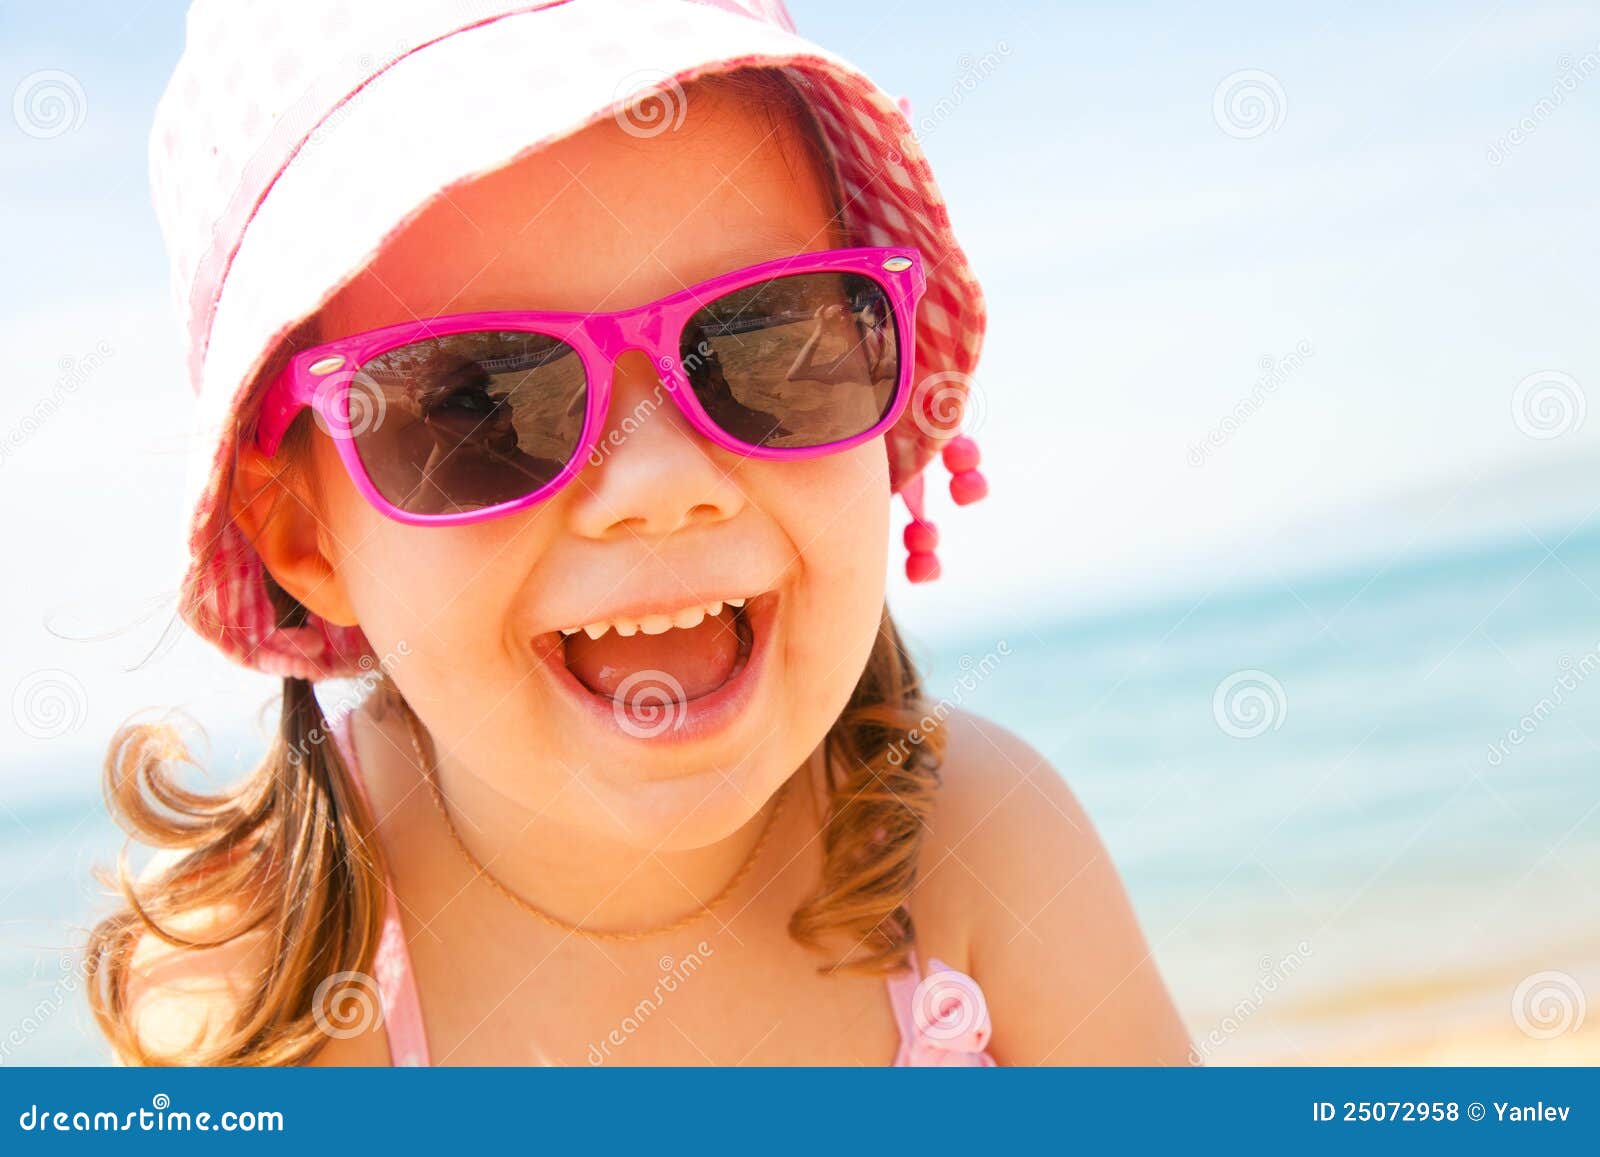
[[185, 1001]]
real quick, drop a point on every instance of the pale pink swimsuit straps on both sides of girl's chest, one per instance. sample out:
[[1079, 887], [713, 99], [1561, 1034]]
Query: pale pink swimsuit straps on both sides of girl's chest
[[943, 1017]]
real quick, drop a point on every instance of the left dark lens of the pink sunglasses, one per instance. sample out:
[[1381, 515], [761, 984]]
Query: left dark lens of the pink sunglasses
[[470, 420]]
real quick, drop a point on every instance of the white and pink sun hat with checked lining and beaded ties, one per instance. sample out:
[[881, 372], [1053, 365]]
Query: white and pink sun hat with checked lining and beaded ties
[[279, 113]]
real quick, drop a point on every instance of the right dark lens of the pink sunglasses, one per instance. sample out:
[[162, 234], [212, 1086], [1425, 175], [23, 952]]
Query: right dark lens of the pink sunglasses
[[794, 362]]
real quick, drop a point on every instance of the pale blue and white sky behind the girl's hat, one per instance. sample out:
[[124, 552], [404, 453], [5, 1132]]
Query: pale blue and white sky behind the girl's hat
[[1273, 290]]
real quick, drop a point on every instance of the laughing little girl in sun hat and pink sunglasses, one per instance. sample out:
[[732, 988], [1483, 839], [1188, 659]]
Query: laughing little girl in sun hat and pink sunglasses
[[558, 364]]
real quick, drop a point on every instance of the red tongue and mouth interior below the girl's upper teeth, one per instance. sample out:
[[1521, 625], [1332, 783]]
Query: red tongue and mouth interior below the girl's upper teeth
[[682, 663]]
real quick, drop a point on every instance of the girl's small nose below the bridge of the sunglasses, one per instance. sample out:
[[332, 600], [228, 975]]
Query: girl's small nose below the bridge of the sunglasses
[[650, 474]]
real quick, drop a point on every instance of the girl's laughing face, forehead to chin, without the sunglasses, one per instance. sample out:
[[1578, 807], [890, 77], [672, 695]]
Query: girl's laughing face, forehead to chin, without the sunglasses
[[663, 526]]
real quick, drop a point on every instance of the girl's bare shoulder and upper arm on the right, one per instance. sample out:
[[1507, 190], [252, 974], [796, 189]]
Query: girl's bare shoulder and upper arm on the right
[[1015, 871]]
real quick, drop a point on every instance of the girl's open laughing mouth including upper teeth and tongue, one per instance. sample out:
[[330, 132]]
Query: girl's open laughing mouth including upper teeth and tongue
[[666, 662]]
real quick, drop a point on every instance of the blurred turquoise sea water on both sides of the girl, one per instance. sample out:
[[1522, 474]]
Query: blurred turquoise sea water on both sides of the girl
[[1354, 793]]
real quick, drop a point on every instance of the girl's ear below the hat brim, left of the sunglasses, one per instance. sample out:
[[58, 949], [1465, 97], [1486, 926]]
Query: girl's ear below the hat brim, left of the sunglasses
[[279, 513]]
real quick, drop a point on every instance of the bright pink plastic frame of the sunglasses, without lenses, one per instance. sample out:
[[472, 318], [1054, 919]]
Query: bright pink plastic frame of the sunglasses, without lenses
[[321, 377]]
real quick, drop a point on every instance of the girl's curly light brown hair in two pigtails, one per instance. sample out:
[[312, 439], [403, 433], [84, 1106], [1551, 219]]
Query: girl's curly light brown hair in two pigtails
[[290, 854]]
